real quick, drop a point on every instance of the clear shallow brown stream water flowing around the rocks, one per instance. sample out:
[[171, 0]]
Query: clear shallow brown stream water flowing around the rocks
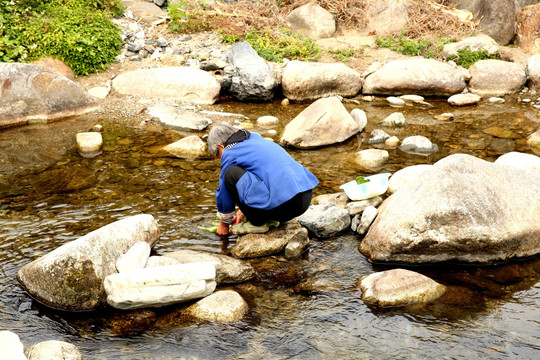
[[304, 309]]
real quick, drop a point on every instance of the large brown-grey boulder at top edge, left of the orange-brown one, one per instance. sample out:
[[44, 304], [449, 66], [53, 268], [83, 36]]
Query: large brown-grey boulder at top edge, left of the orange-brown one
[[497, 19]]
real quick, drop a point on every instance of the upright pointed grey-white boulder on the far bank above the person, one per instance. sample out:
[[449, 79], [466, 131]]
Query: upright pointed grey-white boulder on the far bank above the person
[[253, 78]]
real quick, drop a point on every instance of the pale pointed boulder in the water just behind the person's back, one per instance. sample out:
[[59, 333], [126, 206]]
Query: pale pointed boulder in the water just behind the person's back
[[324, 122]]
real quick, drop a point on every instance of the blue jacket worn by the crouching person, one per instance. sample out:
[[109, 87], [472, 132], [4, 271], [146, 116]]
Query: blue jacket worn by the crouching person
[[272, 176]]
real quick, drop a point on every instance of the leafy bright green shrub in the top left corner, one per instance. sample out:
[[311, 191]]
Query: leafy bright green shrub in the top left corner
[[78, 32]]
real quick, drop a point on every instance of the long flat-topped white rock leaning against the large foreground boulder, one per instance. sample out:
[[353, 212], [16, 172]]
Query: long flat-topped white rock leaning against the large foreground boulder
[[160, 286]]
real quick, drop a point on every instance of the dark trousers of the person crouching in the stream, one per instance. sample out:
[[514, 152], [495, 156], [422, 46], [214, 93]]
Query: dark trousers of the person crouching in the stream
[[284, 212]]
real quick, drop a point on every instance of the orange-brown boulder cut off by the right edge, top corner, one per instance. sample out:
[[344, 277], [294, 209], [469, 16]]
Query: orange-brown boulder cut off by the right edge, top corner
[[528, 29]]
